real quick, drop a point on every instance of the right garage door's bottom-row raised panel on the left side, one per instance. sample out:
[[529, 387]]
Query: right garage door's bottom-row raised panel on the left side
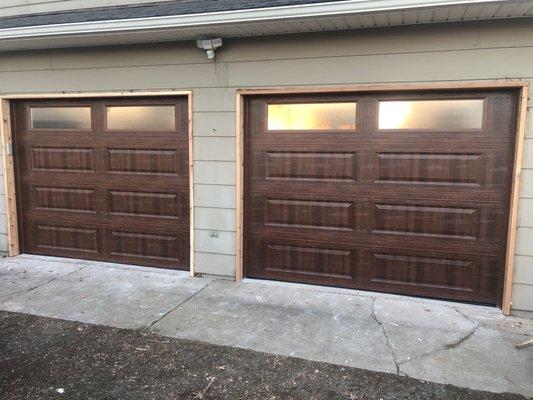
[[308, 260]]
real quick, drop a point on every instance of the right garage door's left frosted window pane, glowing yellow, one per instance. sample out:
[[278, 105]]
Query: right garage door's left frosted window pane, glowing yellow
[[312, 116]]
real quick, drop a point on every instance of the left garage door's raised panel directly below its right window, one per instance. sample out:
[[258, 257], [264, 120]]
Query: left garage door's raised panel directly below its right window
[[136, 161]]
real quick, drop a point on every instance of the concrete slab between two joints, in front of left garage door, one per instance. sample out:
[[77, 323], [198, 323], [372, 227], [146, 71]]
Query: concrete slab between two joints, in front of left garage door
[[108, 296]]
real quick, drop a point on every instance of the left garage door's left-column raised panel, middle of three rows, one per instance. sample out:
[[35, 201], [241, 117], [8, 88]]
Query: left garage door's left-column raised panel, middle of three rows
[[64, 199]]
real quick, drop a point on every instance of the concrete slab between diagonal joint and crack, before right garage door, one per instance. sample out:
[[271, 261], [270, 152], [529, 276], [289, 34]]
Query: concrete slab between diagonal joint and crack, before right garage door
[[317, 326]]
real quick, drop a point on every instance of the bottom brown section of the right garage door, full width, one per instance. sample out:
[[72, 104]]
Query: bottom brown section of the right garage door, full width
[[471, 277]]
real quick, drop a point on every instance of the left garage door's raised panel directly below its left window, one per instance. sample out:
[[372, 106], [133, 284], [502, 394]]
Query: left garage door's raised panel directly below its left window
[[62, 159]]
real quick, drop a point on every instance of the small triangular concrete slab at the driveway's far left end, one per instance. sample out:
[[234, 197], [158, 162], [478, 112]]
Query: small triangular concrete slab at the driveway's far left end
[[18, 275]]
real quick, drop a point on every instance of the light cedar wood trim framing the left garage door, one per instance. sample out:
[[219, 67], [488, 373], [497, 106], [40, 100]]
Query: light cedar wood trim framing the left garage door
[[9, 171]]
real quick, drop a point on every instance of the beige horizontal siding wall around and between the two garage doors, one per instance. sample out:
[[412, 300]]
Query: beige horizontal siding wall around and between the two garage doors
[[447, 52]]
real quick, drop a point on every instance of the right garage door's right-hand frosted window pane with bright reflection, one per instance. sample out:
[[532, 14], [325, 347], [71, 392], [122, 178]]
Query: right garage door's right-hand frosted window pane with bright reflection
[[443, 115]]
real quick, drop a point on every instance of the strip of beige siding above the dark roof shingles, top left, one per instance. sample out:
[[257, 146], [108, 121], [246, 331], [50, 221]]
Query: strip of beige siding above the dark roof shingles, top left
[[18, 7]]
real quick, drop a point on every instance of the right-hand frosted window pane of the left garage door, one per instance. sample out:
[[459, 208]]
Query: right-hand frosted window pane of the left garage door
[[142, 118]]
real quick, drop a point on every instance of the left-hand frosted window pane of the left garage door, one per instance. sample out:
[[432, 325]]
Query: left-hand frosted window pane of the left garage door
[[77, 118]]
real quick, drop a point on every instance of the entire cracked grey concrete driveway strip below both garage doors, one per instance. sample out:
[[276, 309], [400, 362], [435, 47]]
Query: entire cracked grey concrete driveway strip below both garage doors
[[464, 345]]
